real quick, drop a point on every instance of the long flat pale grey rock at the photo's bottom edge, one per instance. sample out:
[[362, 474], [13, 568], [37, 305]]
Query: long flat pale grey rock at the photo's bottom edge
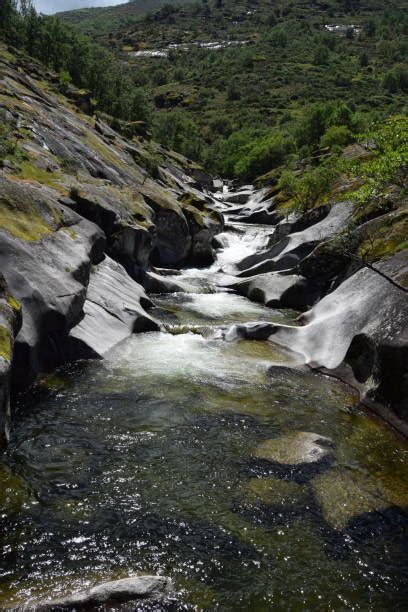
[[150, 588]]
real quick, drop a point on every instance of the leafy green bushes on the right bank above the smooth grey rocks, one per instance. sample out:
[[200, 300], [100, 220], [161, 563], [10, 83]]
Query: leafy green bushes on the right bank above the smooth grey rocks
[[373, 173]]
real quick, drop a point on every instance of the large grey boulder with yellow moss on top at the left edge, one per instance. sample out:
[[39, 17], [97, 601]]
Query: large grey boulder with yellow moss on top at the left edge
[[46, 255]]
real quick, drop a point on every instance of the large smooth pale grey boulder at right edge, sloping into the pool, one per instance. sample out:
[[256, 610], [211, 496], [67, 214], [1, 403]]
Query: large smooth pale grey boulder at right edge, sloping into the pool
[[358, 332]]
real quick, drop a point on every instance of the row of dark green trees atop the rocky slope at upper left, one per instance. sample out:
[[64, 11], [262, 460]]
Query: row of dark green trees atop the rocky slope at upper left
[[74, 57]]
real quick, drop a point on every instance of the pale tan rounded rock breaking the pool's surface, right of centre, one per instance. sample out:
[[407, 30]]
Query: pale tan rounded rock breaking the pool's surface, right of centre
[[295, 449]]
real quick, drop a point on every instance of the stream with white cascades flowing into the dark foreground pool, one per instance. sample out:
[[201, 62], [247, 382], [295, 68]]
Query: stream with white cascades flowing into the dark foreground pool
[[146, 463]]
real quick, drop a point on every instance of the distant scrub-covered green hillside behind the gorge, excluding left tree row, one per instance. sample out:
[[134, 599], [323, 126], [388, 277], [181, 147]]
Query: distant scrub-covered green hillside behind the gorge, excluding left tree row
[[292, 85]]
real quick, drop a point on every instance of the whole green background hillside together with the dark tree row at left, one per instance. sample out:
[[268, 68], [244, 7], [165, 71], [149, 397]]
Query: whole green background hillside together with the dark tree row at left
[[290, 87]]
